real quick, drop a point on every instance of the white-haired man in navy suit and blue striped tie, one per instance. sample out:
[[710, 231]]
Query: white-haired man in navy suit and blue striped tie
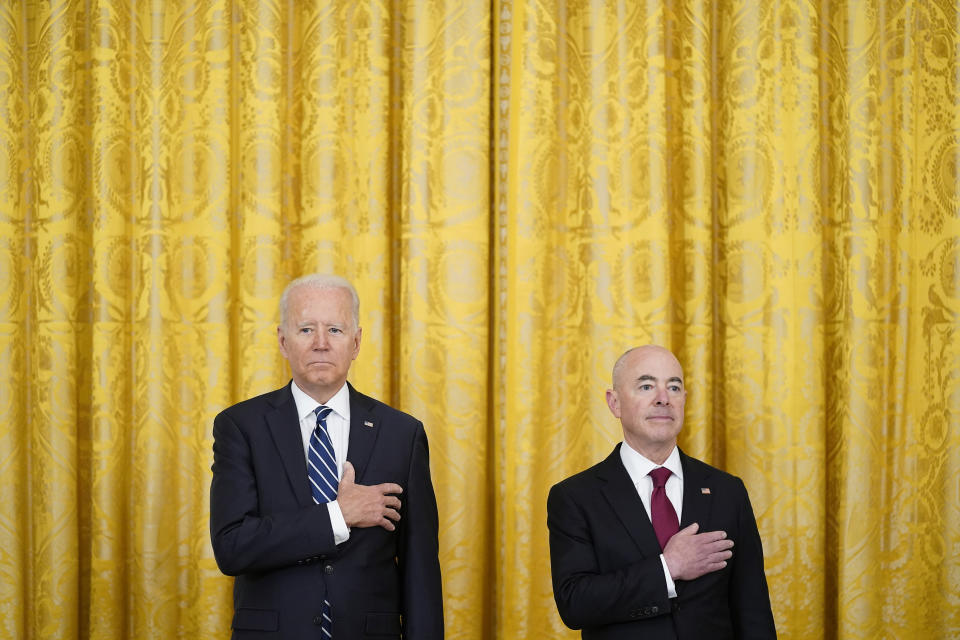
[[325, 543]]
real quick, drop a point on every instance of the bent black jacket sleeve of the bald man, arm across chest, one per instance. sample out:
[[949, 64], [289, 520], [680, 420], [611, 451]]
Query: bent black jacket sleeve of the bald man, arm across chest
[[586, 595]]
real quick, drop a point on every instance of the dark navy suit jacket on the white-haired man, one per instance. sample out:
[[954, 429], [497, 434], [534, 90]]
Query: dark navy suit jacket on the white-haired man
[[267, 531]]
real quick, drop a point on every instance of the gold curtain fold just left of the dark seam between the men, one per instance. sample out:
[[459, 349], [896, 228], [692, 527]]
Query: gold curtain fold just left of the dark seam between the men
[[441, 268]]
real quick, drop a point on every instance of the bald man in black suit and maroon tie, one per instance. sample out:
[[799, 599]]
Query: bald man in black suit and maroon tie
[[651, 543]]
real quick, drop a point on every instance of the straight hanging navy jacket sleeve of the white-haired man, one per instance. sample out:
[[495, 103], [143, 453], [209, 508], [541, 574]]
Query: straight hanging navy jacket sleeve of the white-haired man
[[418, 548]]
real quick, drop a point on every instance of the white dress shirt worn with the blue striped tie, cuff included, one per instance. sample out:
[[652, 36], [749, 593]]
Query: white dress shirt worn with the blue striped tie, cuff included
[[338, 426]]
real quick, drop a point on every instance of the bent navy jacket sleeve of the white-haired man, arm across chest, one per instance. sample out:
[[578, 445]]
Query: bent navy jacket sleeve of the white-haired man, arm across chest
[[248, 536]]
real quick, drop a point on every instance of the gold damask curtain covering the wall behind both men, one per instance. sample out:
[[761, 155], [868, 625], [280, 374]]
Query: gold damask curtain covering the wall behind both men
[[520, 190]]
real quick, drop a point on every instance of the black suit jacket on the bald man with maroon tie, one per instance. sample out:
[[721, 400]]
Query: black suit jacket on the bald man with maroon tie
[[607, 576]]
